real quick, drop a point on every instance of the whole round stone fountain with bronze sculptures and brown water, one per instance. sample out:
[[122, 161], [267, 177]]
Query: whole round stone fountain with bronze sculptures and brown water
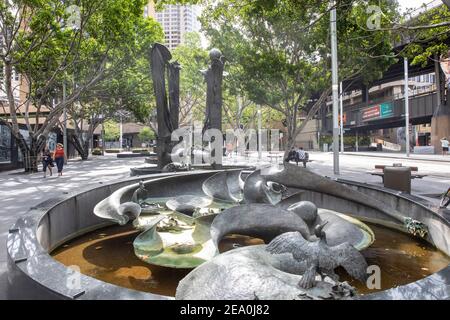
[[164, 235]]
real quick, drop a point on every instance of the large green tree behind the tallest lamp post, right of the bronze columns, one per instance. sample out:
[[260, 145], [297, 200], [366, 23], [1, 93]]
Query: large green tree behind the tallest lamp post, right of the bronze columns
[[278, 52]]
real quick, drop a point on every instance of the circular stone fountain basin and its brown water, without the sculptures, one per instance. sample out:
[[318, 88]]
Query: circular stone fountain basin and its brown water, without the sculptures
[[63, 232]]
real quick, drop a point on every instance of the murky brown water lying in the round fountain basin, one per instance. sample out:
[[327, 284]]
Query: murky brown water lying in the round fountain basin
[[107, 254]]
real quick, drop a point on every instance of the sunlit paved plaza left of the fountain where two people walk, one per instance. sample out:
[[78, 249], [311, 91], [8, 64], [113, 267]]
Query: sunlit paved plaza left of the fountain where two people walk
[[19, 191]]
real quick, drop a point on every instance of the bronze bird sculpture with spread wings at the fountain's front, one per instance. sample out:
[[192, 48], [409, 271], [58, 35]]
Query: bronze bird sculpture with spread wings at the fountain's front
[[319, 257]]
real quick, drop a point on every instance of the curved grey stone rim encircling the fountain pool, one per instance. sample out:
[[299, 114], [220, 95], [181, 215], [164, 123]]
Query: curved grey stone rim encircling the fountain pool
[[28, 267]]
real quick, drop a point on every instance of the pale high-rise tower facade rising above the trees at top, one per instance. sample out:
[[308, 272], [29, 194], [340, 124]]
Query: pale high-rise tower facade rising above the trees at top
[[176, 20]]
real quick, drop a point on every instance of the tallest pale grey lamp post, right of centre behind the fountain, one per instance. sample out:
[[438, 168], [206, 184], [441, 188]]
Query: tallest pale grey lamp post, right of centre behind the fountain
[[335, 87]]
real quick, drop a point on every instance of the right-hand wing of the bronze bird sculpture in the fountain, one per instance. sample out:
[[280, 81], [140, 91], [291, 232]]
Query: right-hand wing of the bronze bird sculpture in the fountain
[[351, 260]]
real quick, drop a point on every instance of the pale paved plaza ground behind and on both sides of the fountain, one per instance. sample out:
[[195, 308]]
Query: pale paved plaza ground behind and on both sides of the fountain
[[21, 191]]
